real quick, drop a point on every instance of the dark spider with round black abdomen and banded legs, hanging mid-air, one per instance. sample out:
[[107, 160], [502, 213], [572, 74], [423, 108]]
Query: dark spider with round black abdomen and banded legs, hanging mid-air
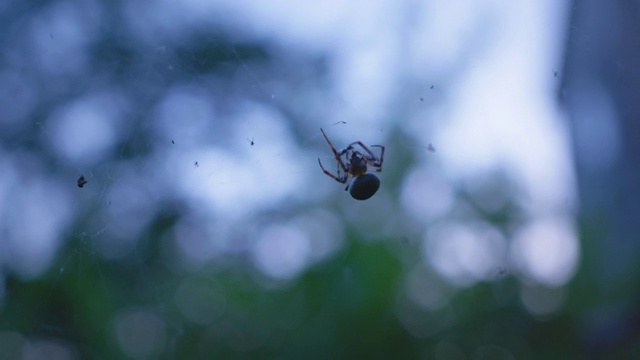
[[355, 163]]
